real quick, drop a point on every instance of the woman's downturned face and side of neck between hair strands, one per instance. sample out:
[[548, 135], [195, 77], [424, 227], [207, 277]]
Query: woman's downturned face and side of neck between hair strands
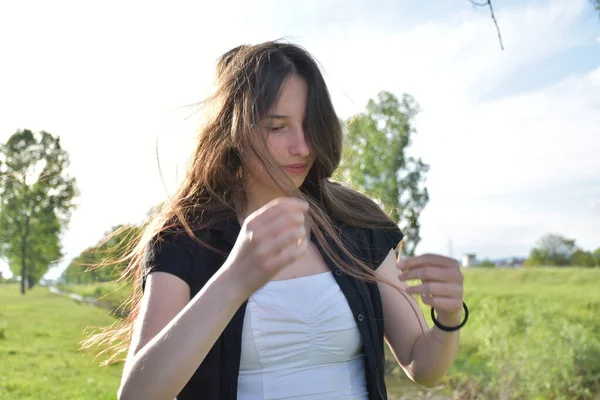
[[285, 140]]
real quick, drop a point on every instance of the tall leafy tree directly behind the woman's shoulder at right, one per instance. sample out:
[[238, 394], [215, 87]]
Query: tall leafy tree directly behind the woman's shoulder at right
[[375, 161]]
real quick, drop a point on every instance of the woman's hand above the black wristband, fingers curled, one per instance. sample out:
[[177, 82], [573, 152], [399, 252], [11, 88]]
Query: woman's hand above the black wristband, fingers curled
[[441, 283]]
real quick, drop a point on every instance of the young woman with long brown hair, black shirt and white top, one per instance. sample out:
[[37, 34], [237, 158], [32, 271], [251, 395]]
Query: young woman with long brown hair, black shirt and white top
[[262, 278]]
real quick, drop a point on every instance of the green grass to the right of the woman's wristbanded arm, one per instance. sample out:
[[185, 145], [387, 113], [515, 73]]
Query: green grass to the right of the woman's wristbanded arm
[[533, 334]]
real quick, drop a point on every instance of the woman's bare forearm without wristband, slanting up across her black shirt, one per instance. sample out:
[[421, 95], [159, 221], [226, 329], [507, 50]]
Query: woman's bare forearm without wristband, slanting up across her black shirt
[[165, 364]]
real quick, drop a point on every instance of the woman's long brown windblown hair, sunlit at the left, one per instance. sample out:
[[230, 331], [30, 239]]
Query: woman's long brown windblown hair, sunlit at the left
[[248, 82]]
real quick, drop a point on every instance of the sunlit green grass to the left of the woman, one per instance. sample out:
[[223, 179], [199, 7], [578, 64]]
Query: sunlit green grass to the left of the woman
[[39, 340]]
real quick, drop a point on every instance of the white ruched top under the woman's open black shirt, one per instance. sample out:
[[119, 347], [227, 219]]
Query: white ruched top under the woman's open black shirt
[[300, 340]]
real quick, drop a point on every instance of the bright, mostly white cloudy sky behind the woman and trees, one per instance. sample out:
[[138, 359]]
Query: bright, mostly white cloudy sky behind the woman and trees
[[512, 137]]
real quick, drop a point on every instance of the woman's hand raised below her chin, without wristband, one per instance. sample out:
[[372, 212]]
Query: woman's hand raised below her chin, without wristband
[[271, 238]]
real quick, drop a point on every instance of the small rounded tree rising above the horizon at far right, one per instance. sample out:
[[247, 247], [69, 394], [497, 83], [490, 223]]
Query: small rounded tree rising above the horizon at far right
[[552, 250]]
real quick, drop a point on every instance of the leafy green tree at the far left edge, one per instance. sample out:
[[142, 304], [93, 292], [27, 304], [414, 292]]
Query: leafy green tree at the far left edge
[[36, 202]]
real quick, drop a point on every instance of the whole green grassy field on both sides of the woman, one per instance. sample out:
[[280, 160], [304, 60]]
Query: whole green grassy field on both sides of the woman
[[533, 334]]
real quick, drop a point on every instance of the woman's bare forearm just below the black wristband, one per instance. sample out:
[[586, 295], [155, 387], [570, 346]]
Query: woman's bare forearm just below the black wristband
[[434, 352]]
